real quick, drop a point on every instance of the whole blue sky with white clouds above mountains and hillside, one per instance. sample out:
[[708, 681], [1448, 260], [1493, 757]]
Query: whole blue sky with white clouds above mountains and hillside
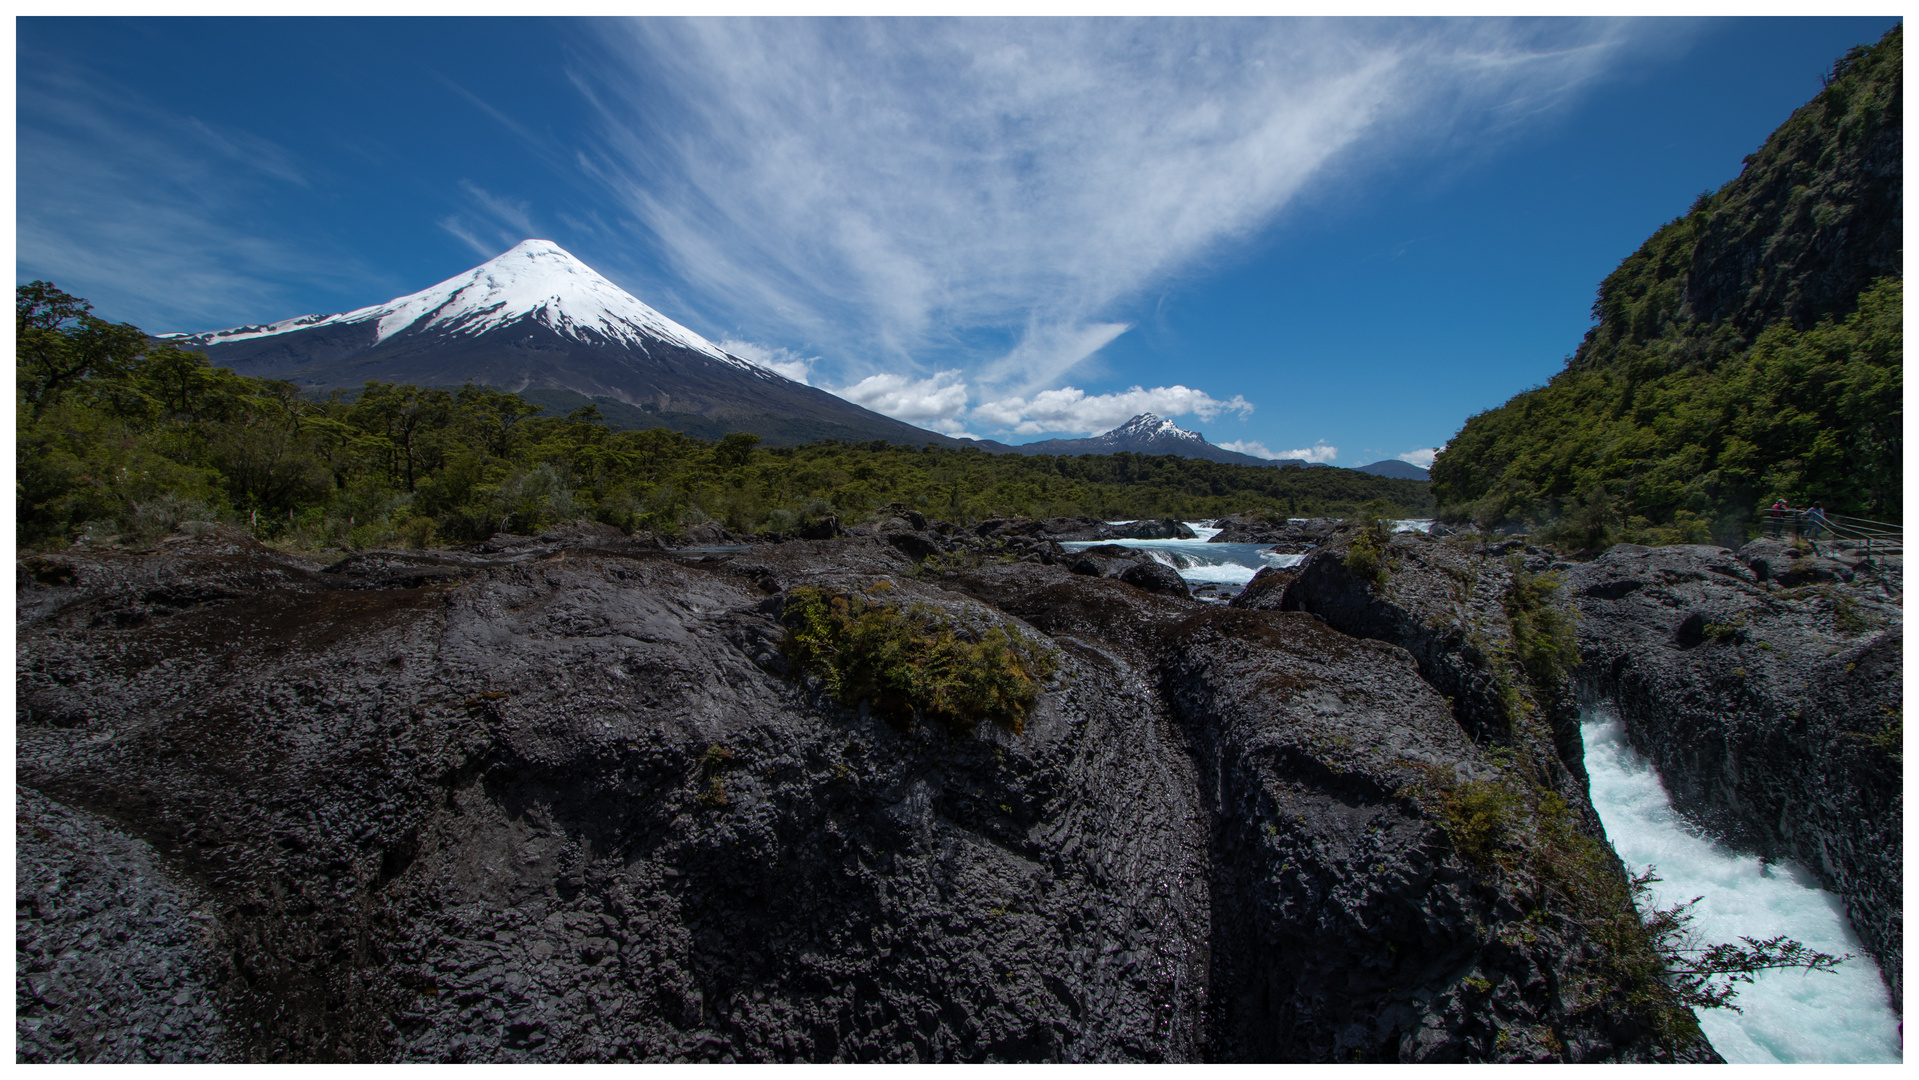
[[1325, 237]]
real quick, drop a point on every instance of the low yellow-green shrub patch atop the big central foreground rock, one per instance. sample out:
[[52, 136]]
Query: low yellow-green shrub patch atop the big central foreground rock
[[912, 663]]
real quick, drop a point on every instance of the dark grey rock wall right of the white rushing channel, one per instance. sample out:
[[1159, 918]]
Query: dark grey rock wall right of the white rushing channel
[[1772, 713]]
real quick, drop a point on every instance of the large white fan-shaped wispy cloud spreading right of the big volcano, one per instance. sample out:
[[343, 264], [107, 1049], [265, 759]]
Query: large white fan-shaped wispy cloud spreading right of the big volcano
[[901, 195]]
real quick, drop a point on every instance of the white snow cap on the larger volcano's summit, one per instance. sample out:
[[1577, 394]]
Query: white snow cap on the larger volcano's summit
[[534, 279]]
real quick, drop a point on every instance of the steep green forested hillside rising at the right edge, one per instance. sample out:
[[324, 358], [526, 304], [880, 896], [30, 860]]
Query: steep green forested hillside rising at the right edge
[[1751, 350]]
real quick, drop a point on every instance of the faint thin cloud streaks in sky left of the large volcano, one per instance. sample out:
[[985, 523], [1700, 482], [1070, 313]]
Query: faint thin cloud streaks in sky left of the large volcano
[[156, 218]]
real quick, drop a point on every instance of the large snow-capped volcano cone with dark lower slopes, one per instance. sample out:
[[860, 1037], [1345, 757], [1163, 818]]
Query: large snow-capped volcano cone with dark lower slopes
[[540, 323]]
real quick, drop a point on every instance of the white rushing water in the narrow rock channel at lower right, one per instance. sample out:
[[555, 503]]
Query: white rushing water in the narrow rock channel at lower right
[[1788, 1016]]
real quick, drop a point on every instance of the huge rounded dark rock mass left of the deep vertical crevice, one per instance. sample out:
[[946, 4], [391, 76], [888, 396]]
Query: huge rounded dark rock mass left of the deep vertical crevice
[[485, 822]]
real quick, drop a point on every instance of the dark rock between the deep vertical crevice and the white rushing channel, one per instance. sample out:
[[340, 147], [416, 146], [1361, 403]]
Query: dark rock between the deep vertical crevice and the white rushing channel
[[1344, 926]]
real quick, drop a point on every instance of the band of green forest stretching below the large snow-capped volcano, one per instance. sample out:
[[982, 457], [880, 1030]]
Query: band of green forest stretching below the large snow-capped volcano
[[122, 436]]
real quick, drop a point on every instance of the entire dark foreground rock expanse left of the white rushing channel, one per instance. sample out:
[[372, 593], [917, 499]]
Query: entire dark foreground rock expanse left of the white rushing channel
[[565, 801]]
